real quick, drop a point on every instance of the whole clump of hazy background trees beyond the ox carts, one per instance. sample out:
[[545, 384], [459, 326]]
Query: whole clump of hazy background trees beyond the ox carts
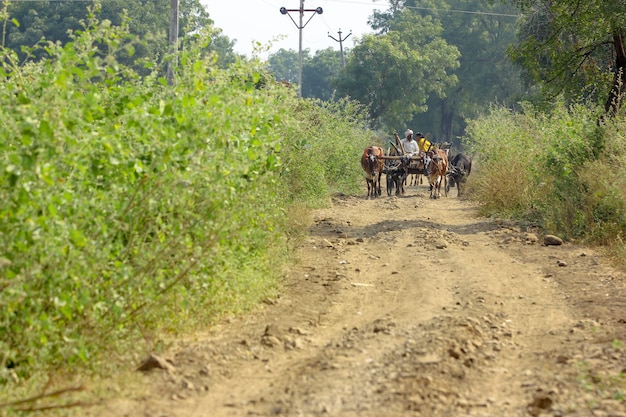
[[426, 66]]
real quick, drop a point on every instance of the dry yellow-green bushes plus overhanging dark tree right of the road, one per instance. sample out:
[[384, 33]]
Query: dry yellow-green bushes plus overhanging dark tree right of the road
[[559, 163]]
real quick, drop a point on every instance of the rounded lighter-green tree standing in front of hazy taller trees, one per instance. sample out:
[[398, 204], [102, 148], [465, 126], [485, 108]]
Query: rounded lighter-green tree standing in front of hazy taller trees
[[394, 73]]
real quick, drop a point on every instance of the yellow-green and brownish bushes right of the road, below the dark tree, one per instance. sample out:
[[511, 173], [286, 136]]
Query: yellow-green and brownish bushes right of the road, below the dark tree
[[559, 170]]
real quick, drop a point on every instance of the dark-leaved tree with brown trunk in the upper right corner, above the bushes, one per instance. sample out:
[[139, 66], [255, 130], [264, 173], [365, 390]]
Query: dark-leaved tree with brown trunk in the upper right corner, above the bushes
[[576, 48]]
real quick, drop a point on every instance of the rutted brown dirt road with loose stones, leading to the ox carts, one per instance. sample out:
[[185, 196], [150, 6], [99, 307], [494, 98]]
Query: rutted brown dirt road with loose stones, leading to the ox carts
[[411, 307]]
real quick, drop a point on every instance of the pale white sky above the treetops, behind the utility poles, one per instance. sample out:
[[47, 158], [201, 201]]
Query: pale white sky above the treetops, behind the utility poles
[[248, 21]]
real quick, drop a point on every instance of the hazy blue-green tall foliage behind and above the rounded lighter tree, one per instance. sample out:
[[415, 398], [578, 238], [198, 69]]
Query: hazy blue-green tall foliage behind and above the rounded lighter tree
[[481, 31]]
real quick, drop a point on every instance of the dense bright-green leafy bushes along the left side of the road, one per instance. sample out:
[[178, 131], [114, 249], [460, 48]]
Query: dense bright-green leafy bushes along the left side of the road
[[132, 207]]
